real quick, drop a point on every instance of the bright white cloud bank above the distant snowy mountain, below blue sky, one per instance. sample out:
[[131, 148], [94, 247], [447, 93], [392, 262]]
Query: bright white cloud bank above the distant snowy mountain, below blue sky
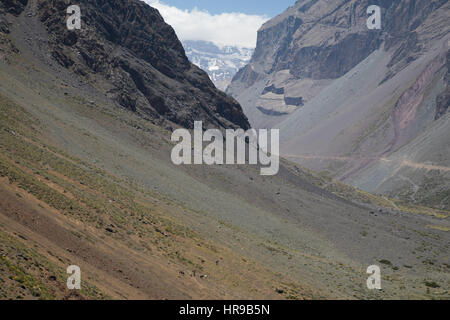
[[225, 29]]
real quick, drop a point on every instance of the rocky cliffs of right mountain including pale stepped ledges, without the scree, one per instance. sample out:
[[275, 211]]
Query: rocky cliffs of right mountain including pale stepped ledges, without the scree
[[316, 41]]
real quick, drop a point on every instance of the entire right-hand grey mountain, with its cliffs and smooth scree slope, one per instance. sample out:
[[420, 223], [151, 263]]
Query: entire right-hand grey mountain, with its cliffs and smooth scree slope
[[365, 94]]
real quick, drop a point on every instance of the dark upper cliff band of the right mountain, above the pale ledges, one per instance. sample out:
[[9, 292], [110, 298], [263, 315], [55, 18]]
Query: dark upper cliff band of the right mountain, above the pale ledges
[[326, 39]]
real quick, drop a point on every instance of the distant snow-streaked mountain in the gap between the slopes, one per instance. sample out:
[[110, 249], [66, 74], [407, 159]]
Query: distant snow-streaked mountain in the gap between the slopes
[[221, 63]]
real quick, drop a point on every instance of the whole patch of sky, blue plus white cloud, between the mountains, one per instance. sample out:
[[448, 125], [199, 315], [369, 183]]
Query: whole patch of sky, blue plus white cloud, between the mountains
[[225, 23]]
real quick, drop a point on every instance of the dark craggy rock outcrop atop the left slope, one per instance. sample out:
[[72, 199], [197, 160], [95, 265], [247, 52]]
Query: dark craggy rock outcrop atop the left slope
[[141, 62]]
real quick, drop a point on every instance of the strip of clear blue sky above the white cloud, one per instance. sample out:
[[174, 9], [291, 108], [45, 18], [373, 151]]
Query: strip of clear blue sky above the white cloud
[[254, 7]]
